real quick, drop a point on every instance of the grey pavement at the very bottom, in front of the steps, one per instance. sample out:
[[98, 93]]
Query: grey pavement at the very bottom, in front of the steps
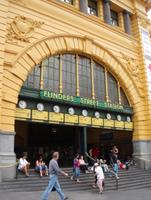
[[144, 194]]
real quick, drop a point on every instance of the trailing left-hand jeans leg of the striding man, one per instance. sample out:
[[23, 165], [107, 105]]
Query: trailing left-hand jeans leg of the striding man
[[49, 188]]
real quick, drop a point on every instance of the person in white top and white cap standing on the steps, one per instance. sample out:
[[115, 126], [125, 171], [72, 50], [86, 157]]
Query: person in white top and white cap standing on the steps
[[100, 176]]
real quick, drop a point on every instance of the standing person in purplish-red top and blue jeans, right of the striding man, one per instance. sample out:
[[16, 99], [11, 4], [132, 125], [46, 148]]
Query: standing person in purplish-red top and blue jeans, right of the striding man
[[76, 169]]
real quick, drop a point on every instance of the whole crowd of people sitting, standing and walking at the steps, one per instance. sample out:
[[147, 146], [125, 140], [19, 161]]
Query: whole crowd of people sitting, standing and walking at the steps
[[96, 165]]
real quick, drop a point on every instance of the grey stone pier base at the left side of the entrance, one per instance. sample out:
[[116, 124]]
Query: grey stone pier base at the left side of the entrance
[[7, 155]]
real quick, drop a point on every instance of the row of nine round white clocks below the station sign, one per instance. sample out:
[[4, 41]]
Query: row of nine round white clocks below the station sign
[[22, 104]]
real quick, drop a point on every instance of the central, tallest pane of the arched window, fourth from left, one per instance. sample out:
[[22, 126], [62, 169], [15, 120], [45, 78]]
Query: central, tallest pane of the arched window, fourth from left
[[85, 77]]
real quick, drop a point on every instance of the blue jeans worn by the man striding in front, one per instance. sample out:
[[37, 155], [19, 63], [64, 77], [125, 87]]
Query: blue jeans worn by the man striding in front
[[53, 182]]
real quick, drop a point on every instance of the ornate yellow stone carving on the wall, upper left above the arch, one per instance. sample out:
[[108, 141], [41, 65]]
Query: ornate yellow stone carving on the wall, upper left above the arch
[[22, 28]]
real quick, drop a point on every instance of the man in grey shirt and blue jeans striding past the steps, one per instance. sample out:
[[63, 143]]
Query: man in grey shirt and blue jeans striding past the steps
[[54, 170]]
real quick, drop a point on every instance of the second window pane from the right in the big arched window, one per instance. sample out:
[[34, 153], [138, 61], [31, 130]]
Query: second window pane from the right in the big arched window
[[112, 89]]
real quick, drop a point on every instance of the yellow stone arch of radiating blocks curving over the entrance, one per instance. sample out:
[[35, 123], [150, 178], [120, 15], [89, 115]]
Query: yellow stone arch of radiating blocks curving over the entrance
[[29, 57]]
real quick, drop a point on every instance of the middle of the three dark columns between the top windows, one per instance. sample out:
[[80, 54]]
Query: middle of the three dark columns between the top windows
[[107, 11]]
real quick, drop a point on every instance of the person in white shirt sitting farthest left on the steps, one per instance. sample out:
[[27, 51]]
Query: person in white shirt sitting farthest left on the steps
[[23, 164]]
